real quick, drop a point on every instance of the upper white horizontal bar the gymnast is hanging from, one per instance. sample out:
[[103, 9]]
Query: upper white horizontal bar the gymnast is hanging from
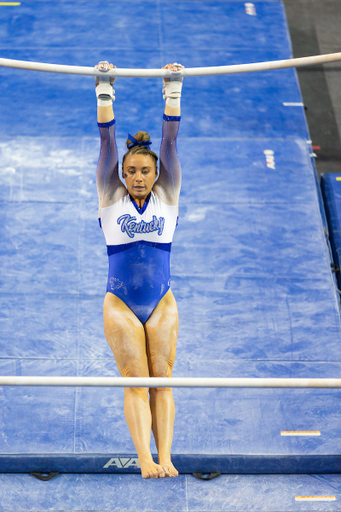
[[213, 70]]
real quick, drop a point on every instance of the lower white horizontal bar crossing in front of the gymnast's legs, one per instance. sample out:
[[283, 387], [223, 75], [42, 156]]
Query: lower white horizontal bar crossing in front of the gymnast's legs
[[176, 382]]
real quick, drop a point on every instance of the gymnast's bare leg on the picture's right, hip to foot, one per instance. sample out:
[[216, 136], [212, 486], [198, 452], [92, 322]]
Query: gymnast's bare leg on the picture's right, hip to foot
[[162, 332]]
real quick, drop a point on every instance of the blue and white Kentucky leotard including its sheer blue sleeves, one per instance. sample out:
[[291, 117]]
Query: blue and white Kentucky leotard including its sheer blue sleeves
[[139, 239]]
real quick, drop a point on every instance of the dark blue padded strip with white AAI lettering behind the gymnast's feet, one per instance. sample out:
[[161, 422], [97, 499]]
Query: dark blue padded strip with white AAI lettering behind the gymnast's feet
[[124, 463]]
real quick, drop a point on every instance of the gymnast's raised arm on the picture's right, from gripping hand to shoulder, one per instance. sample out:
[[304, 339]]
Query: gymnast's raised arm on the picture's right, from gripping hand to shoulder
[[169, 182]]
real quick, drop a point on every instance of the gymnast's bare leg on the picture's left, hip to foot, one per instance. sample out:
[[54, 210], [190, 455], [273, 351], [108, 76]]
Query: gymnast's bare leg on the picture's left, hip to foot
[[126, 337]]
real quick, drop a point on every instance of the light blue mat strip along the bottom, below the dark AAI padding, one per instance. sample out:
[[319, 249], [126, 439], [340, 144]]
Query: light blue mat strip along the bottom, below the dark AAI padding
[[271, 493]]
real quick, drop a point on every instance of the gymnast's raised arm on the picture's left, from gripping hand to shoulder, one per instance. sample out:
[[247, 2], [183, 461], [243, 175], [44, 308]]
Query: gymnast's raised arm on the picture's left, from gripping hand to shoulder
[[109, 186]]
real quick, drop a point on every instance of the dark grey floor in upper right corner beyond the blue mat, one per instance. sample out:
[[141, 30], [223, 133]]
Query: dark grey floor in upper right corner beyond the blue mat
[[315, 28]]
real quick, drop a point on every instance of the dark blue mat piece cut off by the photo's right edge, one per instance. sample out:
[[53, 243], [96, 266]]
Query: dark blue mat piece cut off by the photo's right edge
[[331, 189]]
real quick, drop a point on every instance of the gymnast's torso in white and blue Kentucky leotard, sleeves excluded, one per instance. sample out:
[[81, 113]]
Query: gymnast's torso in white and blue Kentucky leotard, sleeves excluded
[[139, 244]]
